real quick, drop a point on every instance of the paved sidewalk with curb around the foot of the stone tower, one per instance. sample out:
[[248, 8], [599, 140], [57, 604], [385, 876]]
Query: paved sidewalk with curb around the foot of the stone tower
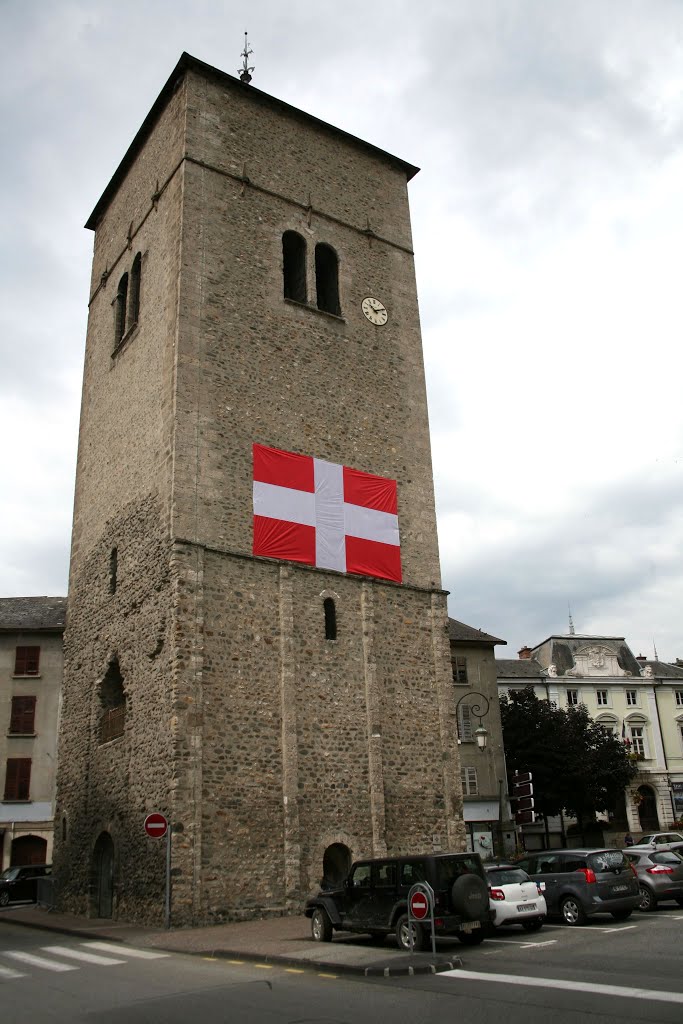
[[282, 941]]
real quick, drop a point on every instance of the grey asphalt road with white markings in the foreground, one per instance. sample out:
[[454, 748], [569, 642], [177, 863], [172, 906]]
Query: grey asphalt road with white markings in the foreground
[[605, 972]]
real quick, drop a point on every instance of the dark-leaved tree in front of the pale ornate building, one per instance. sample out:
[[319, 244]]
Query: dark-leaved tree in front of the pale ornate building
[[578, 766]]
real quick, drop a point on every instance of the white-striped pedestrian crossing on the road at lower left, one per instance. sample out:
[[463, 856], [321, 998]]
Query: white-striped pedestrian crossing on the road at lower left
[[61, 959]]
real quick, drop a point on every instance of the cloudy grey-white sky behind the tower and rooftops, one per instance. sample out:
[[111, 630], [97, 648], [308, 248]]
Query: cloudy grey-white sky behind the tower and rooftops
[[548, 231]]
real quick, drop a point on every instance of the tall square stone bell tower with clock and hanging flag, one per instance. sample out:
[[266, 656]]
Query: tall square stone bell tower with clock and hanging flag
[[277, 684]]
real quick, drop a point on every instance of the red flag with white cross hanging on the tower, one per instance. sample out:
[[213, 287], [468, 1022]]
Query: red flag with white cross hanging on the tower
[[319, 514]]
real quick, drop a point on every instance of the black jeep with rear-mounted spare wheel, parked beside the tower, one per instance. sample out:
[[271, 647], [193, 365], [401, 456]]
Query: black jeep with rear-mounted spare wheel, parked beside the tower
[[374, 900]]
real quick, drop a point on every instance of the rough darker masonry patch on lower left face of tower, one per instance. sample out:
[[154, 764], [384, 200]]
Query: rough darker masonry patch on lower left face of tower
[[113, 786]]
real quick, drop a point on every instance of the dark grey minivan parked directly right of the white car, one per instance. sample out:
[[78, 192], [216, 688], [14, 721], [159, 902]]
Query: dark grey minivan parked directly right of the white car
[[578, 884]]
